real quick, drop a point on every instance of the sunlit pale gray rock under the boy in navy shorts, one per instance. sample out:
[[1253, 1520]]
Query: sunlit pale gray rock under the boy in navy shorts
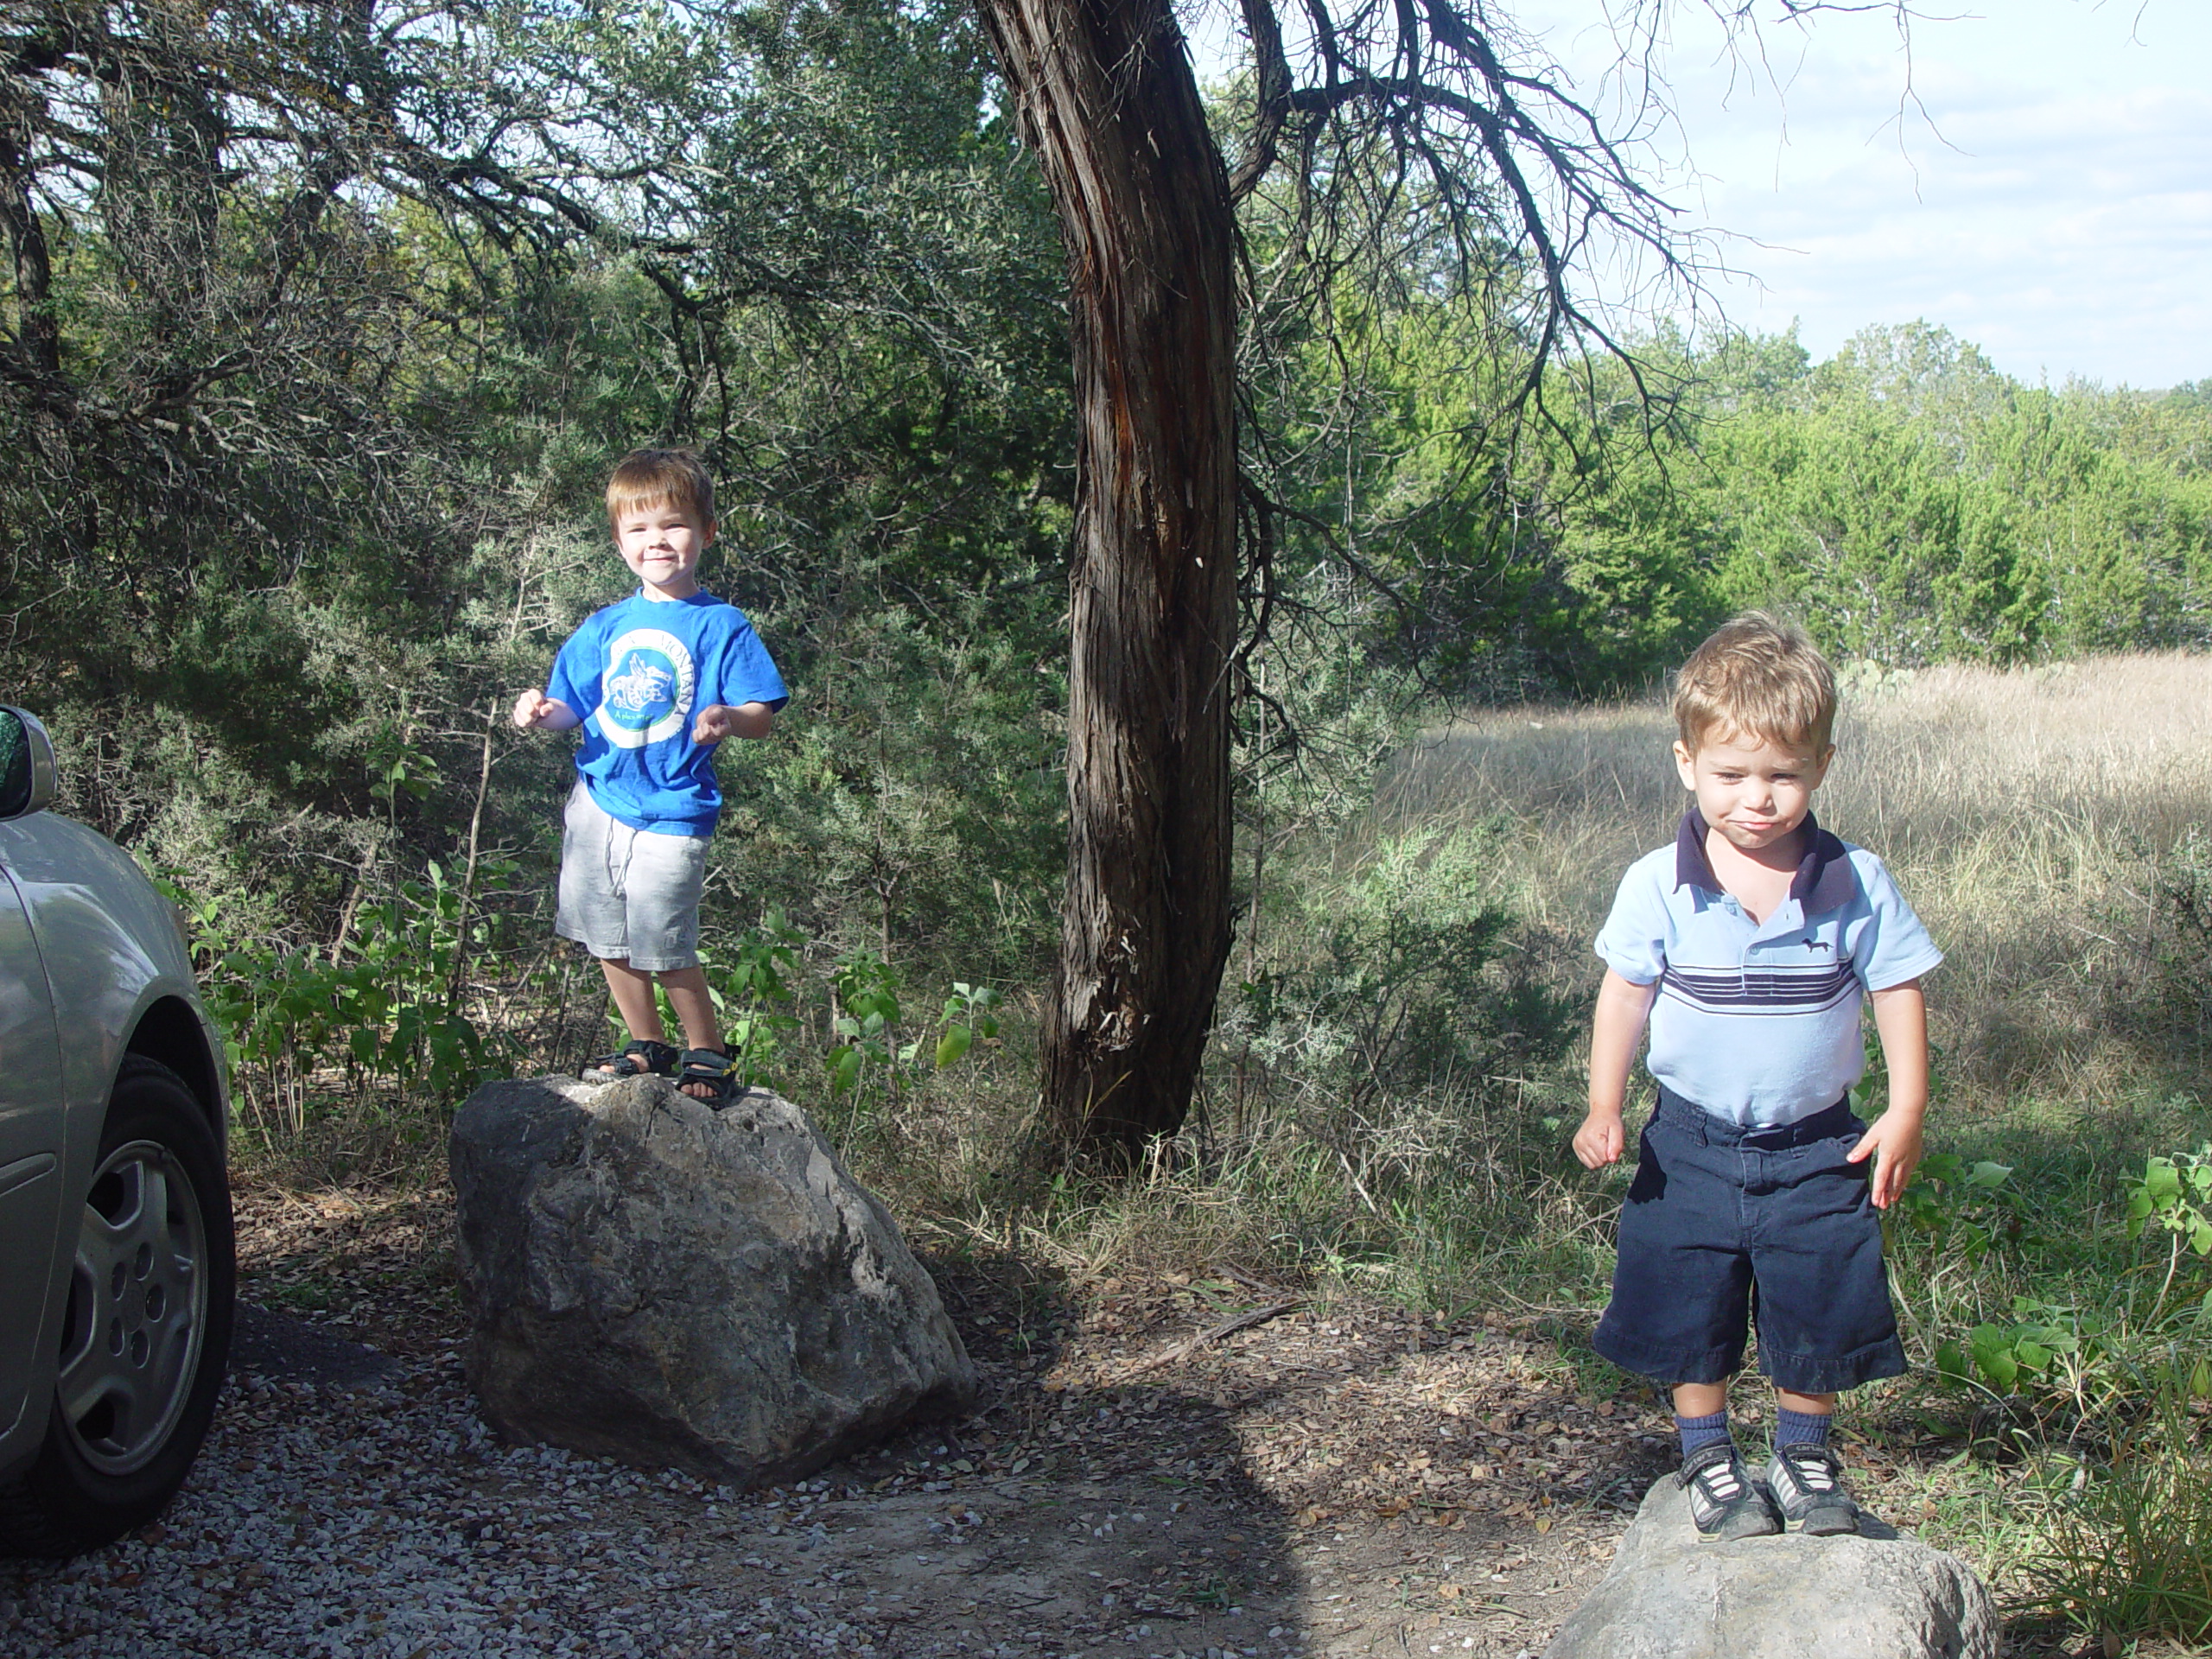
[[1777, 1598]]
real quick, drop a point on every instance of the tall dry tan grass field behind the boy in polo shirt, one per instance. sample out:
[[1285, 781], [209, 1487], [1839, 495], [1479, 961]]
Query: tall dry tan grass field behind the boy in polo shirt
[[2023, 813]]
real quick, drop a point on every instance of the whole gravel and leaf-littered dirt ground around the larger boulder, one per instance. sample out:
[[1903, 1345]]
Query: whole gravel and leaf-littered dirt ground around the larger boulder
[[1160, 1470]]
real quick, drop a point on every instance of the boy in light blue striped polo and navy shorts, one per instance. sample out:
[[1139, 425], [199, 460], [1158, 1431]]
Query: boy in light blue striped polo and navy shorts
[[1751, 946]]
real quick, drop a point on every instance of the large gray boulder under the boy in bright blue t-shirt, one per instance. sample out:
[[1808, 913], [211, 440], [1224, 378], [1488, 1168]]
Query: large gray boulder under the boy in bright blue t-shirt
[[662, 1284]]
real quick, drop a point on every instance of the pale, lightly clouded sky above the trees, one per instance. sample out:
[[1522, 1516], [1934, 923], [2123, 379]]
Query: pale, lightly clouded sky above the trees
[[2034, 176]]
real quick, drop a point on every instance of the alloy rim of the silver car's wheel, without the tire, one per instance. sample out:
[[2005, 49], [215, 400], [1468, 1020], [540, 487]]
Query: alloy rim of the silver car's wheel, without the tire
[[138, 1306]]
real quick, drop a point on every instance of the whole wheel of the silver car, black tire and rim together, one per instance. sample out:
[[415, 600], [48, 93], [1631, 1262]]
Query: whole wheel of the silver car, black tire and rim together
[[145, 1331]]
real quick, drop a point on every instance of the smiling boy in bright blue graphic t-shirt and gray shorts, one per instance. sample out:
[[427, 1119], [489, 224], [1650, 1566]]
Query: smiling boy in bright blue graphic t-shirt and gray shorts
[[656, 682]]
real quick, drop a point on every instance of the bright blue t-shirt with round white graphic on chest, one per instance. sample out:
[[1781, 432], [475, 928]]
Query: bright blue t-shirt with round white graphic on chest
[[638, 674]]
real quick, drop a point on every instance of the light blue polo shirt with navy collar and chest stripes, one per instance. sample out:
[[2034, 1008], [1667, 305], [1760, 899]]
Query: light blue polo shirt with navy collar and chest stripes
[[1760, 1021]]
